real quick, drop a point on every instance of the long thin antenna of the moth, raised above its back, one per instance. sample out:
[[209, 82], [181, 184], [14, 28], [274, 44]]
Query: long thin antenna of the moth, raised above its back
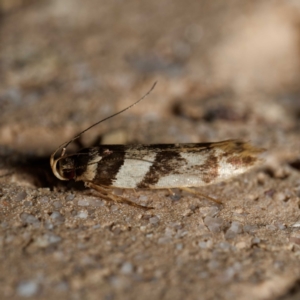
[[53, 161]]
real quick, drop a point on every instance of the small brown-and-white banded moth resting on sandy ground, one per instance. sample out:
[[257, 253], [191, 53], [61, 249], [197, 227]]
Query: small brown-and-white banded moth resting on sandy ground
[[156, 166]]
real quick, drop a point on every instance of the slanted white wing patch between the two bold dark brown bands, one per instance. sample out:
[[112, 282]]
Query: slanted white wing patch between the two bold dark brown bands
[[134, 170]]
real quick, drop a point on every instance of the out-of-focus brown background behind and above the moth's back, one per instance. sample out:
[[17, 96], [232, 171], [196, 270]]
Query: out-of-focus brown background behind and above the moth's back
[[224, 70]]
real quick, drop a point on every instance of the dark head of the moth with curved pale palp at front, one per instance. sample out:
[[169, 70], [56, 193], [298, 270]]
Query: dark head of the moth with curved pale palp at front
[[64, 166]]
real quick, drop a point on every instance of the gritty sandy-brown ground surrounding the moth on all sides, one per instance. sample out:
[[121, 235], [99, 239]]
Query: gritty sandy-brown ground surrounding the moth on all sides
[[224, 70]]
